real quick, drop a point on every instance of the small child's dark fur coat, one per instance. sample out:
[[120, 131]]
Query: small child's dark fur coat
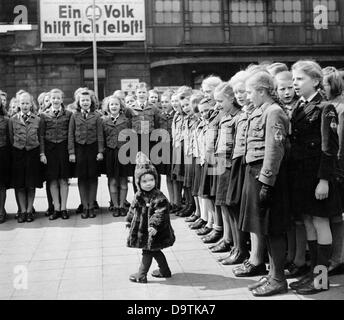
[[150, 209]]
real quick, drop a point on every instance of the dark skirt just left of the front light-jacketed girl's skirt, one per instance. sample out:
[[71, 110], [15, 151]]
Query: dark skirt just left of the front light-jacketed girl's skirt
[[236, 183]]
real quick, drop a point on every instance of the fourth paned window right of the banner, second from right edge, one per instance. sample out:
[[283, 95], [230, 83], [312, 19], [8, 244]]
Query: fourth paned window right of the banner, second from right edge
[[286, 11]]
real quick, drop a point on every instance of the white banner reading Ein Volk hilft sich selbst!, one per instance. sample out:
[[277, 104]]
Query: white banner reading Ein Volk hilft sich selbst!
[[71, 20]]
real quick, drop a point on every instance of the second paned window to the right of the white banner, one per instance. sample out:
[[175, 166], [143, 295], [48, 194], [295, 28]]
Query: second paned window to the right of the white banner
[[205, 11]]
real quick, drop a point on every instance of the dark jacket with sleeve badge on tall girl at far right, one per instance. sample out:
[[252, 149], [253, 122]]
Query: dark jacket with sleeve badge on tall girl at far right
[[314, 138]]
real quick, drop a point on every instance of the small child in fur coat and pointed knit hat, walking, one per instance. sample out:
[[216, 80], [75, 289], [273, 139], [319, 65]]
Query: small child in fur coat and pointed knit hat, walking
[[149, 222]]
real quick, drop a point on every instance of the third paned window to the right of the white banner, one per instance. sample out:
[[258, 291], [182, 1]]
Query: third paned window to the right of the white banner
[[250, 12]]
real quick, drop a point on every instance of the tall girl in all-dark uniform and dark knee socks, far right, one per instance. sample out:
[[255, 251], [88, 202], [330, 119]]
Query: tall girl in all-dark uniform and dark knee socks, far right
[[314, 149]]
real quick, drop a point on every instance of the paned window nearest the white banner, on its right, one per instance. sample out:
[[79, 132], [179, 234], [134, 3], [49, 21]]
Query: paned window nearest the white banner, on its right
[[168, 11]]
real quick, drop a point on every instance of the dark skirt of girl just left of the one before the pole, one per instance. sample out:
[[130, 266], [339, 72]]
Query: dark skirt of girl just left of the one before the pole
[[58, 165]]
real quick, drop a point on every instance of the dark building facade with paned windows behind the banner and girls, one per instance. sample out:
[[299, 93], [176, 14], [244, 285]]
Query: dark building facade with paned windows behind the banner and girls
[[186, 40]]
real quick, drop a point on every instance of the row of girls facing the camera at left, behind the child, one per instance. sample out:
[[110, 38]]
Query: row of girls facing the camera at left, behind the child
[[52, 143]]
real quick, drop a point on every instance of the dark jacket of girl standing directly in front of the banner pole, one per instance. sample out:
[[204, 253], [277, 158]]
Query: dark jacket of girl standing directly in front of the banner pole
[[85, 131]]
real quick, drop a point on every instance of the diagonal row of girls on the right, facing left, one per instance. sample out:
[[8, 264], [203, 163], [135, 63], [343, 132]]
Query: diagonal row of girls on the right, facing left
[[259, 160]]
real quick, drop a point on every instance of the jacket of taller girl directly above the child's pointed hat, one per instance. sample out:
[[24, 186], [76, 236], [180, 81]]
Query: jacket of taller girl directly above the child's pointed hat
[[145, 120]]
